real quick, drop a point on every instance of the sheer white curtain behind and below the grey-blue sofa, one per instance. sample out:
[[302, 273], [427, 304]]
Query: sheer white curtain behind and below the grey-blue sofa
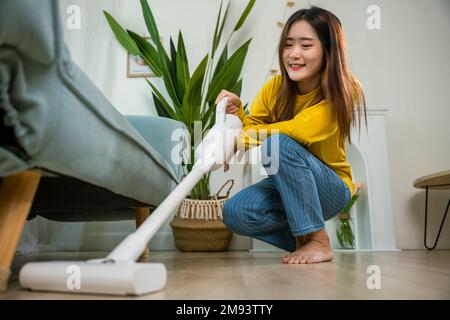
[[89, 46]]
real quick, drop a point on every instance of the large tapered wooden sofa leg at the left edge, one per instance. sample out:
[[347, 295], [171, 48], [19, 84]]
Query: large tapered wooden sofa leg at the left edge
[[16, 196]]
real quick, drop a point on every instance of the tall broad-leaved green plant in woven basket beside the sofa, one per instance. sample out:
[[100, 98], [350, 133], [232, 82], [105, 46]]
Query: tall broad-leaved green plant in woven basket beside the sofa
[[192, 95]]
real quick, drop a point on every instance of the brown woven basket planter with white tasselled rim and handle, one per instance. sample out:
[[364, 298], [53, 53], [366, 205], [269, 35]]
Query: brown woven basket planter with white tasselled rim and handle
[[198, 224]]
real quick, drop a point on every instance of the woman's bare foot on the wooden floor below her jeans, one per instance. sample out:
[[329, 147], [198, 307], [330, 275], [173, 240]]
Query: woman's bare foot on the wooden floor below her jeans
[[313, 248]]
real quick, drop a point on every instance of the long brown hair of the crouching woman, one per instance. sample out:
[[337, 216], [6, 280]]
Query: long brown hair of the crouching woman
[[338, 85]]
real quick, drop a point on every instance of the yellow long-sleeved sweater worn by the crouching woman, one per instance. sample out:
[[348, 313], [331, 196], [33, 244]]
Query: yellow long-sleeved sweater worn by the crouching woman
[[314, 126]]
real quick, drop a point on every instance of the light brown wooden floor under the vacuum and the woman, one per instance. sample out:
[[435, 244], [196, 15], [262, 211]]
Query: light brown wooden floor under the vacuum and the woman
[[411, 274]]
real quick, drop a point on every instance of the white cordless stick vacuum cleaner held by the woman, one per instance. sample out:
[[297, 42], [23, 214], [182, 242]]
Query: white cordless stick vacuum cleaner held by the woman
[[118, 273]]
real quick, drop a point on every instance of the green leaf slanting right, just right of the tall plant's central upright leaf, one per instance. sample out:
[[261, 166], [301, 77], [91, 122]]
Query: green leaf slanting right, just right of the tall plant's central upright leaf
[[193, 97]]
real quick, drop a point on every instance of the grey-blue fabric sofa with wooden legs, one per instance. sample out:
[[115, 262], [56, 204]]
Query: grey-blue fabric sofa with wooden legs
[[56, 126]]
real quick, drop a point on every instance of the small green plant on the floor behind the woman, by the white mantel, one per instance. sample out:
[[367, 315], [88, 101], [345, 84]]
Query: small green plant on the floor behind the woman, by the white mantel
[[345, 226]]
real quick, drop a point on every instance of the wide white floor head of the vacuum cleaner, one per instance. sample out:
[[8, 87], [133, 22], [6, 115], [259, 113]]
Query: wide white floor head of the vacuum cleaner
[[121, 278]]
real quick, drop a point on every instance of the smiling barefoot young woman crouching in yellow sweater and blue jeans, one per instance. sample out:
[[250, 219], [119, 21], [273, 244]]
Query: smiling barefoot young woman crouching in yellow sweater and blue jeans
[[308, 112]]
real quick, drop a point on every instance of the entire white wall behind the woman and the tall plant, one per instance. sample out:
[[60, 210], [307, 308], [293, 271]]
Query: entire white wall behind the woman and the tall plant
[[403, 66]]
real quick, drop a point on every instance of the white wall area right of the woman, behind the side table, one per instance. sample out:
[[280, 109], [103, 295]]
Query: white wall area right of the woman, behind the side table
[[405, 66]]
